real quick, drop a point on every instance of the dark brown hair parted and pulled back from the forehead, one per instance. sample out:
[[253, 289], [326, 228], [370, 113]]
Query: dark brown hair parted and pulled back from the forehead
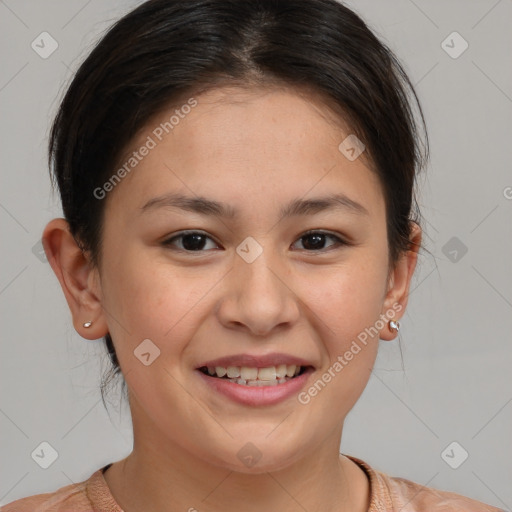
[[166, 50]]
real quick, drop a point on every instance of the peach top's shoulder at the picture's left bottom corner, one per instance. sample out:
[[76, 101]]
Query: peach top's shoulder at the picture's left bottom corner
[[70, 497]]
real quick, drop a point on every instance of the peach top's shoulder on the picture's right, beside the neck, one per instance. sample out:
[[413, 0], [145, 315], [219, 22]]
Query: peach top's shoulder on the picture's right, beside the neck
[[390, 493]]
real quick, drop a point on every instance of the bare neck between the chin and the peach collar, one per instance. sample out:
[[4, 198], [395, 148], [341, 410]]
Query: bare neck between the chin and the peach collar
[[166, 480]]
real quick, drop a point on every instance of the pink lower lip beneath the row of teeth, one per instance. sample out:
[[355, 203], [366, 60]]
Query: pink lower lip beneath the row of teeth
[[257, 395]]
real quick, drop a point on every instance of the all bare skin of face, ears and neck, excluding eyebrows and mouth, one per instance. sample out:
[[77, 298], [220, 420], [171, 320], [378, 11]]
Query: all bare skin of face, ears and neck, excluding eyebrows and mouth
[[255, 150]]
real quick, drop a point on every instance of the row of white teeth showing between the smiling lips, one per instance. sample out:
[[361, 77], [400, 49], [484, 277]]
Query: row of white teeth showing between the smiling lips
[[252, 376]]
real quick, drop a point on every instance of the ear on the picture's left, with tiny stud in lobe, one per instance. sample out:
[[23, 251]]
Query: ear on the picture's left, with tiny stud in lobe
[[79, 281]]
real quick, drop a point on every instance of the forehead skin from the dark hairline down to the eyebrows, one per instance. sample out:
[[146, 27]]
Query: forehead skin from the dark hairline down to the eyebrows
[[243, 142]]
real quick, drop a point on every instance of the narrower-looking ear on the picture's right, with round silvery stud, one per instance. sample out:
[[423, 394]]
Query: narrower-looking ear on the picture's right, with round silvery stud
[[399, 282]]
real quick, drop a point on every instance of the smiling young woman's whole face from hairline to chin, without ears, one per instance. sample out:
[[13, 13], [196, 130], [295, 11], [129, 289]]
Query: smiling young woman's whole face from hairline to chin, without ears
[[255, 284]]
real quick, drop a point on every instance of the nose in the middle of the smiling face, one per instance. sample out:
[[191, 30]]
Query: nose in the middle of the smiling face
[[258, 297]]
